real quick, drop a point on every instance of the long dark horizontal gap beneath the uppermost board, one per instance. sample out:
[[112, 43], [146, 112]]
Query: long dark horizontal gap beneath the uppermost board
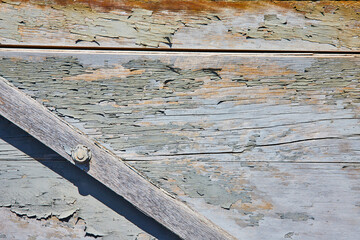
[[178, 50]]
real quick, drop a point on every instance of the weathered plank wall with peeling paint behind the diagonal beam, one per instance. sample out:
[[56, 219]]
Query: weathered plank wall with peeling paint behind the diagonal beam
[[264, 145]]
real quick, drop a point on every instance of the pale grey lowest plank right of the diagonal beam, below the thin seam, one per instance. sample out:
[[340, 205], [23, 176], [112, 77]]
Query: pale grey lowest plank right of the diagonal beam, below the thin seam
[[267, 200]]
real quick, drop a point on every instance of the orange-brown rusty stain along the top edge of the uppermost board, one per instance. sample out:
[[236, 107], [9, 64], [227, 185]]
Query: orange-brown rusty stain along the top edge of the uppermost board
[[191, 5]]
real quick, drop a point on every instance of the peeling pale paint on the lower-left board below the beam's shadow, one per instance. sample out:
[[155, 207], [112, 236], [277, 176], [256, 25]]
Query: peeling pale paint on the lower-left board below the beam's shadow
[[44, 200]]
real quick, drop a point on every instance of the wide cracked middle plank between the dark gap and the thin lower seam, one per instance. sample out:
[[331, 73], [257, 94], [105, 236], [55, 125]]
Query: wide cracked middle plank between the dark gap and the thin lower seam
[[238, 106]]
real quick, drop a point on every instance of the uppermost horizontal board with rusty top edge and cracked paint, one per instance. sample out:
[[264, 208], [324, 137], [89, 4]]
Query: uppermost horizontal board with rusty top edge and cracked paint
[[191, 24]]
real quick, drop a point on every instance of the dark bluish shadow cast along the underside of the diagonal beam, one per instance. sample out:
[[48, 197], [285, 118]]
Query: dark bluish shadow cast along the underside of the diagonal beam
[[43, 196]]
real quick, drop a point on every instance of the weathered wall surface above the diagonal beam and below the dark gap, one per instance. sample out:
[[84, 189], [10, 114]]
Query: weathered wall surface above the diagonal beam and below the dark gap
[[264, 145]]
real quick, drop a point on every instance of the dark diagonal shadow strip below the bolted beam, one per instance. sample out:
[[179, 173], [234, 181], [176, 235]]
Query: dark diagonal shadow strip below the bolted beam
[[86, 184]]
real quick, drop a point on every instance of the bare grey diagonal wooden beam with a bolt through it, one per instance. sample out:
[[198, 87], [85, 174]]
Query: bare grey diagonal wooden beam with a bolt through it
[[105, 166]]
